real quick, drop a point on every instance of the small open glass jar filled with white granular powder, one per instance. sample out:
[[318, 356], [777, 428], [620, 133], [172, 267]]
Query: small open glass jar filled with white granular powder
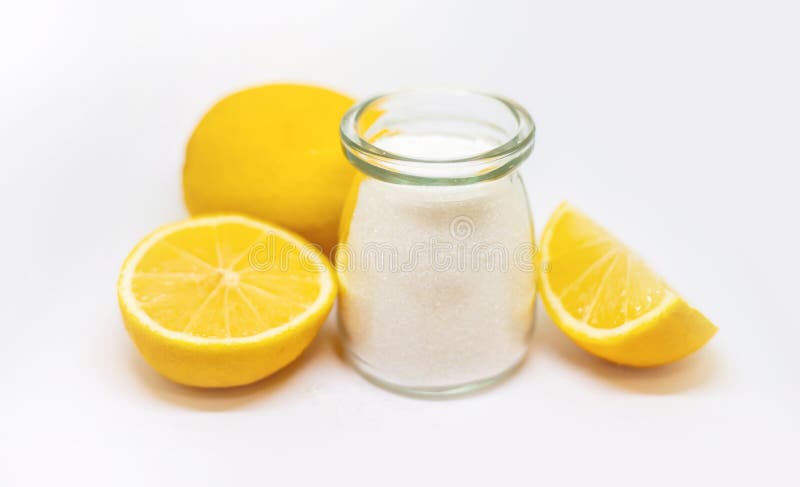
[[435, 260]]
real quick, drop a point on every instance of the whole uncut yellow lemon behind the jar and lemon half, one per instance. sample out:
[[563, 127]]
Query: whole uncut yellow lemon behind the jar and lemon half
[[272, 152]]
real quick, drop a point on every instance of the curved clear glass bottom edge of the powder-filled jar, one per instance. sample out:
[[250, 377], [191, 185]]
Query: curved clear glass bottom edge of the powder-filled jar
[[462, 389]]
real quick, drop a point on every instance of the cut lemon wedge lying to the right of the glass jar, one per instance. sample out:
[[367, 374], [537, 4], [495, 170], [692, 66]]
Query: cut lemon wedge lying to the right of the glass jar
[[608, 301]]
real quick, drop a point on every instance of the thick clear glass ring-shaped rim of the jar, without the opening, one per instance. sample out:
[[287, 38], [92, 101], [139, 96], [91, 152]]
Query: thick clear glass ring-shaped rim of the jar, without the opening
[[393, 167]]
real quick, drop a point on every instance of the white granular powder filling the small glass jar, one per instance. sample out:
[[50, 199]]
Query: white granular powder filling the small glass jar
[[438, 287]]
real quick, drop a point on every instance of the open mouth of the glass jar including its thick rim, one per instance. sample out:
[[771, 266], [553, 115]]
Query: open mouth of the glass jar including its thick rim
[[437, 136]]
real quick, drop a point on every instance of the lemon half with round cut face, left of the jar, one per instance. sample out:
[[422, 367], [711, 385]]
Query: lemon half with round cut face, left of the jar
[[223, 300]]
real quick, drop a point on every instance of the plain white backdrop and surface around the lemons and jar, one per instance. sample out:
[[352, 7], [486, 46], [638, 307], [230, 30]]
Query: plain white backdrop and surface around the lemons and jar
[[675, 124]]
